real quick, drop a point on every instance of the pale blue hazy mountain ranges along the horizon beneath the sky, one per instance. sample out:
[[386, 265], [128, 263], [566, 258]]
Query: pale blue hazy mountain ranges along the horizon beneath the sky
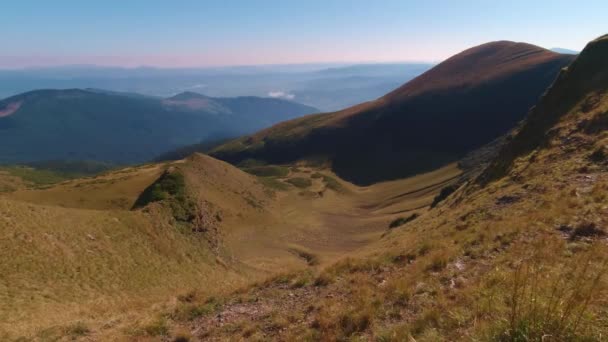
[[325, 86]]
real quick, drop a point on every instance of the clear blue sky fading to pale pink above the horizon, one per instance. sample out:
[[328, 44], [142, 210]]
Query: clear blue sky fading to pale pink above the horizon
[[189, 33]]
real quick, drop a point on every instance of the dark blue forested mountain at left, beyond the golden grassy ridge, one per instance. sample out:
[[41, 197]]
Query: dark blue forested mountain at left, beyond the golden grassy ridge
[[125, 128]]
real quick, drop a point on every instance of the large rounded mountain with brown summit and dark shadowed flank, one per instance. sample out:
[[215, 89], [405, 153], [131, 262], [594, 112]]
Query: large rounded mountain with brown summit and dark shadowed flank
[[459, 105]]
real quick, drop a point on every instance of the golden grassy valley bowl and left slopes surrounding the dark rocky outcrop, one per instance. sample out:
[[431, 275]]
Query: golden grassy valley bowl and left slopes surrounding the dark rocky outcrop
[[78, 262]]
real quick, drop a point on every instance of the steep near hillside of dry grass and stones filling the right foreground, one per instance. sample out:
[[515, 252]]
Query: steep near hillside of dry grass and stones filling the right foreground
[[518, 256]]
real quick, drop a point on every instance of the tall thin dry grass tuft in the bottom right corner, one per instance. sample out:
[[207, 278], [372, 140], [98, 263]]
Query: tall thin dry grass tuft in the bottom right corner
[[552, 300]]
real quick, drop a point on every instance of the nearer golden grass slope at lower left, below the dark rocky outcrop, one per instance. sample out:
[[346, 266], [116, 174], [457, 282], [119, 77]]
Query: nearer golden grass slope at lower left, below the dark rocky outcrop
[[66, 265]]
